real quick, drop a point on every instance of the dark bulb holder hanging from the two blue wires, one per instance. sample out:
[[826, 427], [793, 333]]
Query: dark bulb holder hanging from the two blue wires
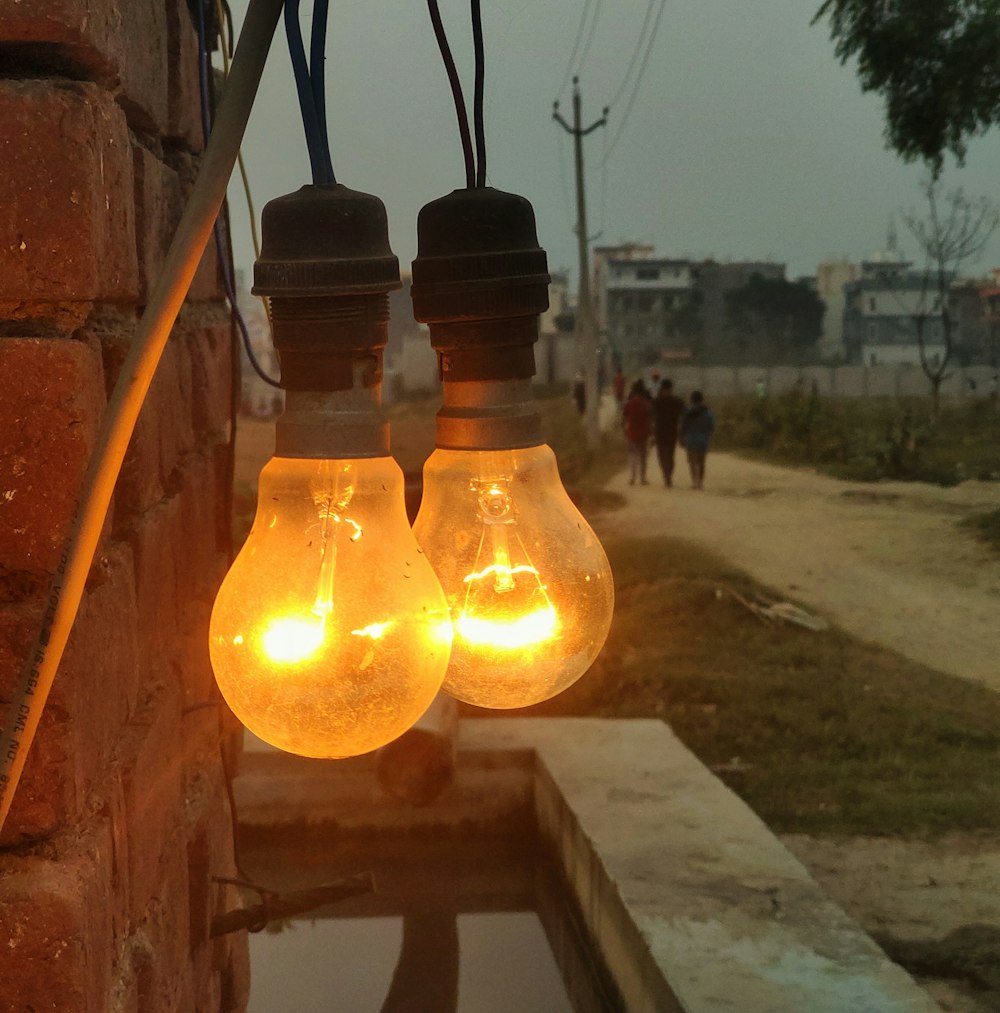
[[327, 266]]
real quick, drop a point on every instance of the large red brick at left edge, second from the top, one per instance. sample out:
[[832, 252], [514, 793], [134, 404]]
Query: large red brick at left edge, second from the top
[[67, 216]]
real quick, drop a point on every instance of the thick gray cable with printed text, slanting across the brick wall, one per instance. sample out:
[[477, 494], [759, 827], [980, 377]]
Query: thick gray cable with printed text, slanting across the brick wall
[[137, 373]]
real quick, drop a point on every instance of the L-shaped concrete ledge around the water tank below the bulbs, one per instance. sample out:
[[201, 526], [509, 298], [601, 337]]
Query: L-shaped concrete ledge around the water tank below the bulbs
[[695, 904]]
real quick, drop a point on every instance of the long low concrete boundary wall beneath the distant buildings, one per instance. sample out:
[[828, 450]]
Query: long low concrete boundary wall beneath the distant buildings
[[839, 381]]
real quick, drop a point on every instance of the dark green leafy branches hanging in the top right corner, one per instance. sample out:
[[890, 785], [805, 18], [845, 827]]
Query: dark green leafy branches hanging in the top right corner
[[937, 63]]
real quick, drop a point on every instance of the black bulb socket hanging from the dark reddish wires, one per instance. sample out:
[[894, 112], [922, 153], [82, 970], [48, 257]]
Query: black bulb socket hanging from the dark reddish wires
[[481, 281]]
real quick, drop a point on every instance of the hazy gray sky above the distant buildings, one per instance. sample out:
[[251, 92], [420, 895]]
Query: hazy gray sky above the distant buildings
[[747, 139]]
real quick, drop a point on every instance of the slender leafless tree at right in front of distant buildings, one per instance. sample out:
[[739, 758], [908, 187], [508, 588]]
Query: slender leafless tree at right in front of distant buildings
[[955, 232]]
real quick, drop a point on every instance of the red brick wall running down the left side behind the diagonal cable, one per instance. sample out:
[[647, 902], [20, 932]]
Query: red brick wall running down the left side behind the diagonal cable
[[122, 820]]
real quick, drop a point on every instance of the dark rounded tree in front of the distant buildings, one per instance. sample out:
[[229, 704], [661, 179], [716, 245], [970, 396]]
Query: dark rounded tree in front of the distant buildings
[[781, 320]]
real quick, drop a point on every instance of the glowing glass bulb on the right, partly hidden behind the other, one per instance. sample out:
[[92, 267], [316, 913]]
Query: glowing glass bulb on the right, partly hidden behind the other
[[528, 583]]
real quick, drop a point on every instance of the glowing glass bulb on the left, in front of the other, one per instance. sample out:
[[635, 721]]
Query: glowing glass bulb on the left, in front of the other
[[330, 637]]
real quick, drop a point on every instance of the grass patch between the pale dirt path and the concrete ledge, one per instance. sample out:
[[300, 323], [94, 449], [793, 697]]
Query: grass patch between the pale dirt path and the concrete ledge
[[817, 732]]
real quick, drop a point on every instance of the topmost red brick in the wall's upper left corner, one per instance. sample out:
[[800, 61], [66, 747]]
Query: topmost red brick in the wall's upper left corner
[[98, 38]]
